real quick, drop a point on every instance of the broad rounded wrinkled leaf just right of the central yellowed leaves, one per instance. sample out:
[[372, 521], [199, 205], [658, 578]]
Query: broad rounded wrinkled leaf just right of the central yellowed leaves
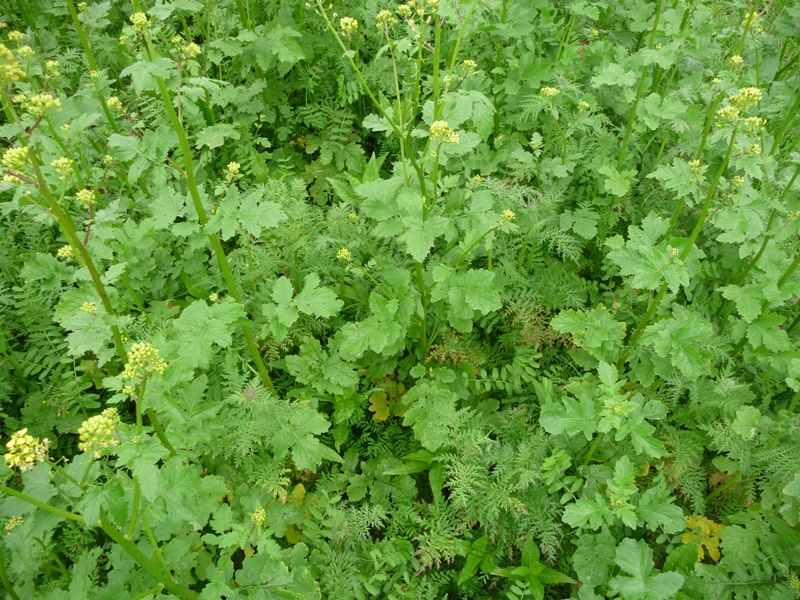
[[431, 413]]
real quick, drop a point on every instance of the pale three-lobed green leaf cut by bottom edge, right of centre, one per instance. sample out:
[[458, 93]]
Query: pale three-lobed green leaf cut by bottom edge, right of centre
[[636, 560]]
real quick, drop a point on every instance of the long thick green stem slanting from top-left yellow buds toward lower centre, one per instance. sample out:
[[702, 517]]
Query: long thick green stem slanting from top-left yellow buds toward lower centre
[[194, 192]]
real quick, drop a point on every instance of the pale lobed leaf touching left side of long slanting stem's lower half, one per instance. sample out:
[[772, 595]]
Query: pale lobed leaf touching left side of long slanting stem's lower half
[[202, 327]]
